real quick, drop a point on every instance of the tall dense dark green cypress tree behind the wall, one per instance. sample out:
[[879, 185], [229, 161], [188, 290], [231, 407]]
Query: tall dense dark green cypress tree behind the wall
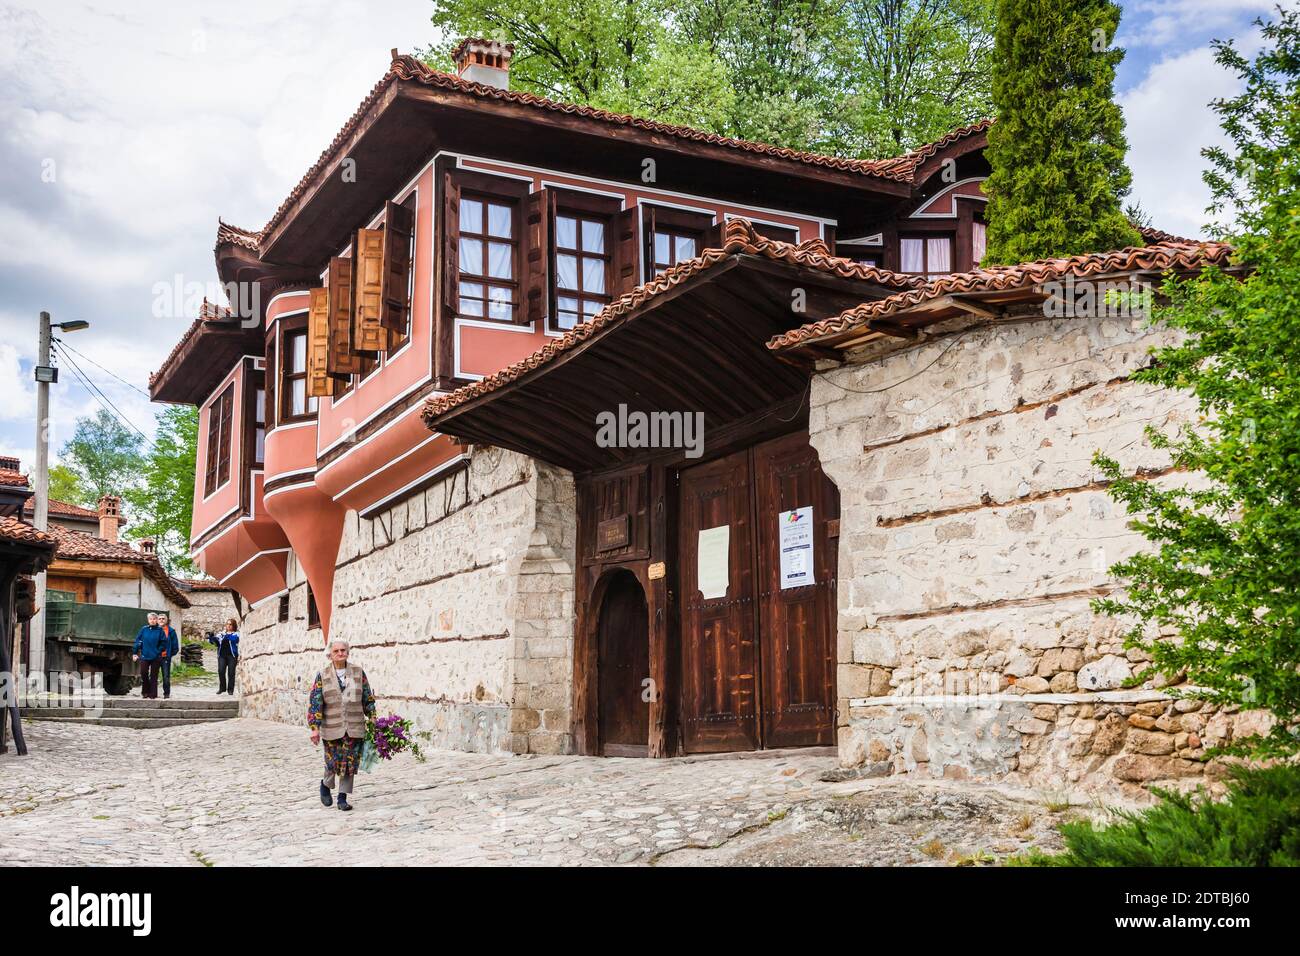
[[1058, 149]]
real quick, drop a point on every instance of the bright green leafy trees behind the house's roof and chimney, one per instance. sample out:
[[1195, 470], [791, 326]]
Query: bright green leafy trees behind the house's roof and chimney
[[865, 77]]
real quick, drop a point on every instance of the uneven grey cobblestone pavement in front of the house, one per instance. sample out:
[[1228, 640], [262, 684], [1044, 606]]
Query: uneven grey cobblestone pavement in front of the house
[[245, 793]]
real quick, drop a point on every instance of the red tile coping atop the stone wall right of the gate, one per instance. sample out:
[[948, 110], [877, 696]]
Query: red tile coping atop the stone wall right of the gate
[[1163, 258]]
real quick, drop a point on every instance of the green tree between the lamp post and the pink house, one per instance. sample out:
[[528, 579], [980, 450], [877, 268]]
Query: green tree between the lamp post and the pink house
[[163, 504]]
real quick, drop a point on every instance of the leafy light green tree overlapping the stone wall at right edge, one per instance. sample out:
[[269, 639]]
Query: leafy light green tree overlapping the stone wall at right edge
[[1224, 574]]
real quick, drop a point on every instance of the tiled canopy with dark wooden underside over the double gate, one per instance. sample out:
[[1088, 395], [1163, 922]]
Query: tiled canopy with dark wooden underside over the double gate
[[692, 340]]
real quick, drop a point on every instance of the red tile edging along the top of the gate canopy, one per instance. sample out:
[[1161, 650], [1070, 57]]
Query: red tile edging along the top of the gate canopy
[[739, 239]]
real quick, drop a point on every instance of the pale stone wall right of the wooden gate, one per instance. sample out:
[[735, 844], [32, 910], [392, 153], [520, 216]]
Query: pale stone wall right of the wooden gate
[[976, 534]]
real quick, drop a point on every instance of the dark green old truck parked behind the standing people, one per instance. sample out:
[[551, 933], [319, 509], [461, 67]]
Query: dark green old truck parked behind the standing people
[[93, 639]]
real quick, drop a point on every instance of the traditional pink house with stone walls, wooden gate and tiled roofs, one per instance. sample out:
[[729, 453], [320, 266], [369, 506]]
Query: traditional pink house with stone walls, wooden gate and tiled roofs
[[600, 435]]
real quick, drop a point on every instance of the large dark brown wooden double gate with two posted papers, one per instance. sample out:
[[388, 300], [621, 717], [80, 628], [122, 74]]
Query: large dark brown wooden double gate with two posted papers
[[759, 600]]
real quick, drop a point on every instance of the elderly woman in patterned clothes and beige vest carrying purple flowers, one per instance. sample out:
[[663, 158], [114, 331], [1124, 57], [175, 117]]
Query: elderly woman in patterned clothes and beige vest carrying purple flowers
[[341, 702]]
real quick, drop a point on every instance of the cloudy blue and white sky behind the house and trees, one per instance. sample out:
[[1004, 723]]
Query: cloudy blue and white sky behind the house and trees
[[124, 136]]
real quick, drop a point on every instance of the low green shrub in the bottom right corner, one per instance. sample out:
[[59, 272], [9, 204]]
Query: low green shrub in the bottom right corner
[[1258, 824]]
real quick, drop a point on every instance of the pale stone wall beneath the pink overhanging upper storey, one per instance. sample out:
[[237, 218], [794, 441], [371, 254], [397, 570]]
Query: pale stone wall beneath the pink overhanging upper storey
[[460, 605]]
